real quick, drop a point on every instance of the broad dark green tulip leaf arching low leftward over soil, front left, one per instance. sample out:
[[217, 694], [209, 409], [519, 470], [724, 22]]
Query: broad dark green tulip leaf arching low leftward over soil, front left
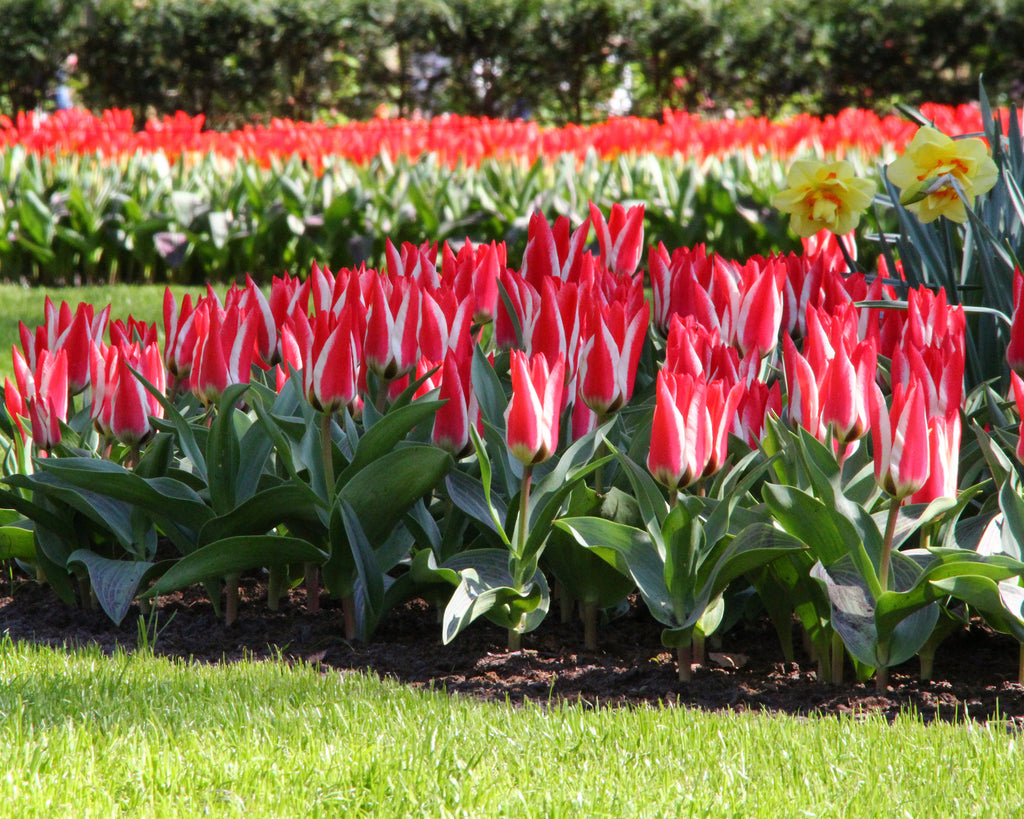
[[233, 555]]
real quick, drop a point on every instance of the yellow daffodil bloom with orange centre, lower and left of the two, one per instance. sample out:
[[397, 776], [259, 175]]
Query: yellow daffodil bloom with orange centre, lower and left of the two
[[824, 196]]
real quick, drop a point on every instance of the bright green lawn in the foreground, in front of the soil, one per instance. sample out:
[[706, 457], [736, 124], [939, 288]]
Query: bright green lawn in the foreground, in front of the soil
[[83, 735]]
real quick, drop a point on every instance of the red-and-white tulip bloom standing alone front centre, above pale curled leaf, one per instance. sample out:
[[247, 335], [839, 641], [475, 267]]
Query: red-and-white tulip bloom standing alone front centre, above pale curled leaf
[[533, 414]]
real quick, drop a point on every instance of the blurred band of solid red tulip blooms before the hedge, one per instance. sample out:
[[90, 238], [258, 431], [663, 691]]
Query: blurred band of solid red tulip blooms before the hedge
[[470, 141]]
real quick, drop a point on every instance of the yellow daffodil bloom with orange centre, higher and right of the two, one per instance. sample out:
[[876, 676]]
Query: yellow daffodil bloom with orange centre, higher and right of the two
[[928, 168]]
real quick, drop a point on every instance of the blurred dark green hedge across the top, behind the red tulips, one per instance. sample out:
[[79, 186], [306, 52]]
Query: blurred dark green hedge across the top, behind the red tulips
[[554, 60]]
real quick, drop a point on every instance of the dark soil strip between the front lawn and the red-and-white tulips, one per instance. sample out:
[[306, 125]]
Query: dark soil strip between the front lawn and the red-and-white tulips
[[975, 670]]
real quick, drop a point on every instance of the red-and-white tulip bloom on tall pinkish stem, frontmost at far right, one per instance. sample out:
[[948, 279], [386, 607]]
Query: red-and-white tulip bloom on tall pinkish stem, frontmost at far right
[[903, 457]]
